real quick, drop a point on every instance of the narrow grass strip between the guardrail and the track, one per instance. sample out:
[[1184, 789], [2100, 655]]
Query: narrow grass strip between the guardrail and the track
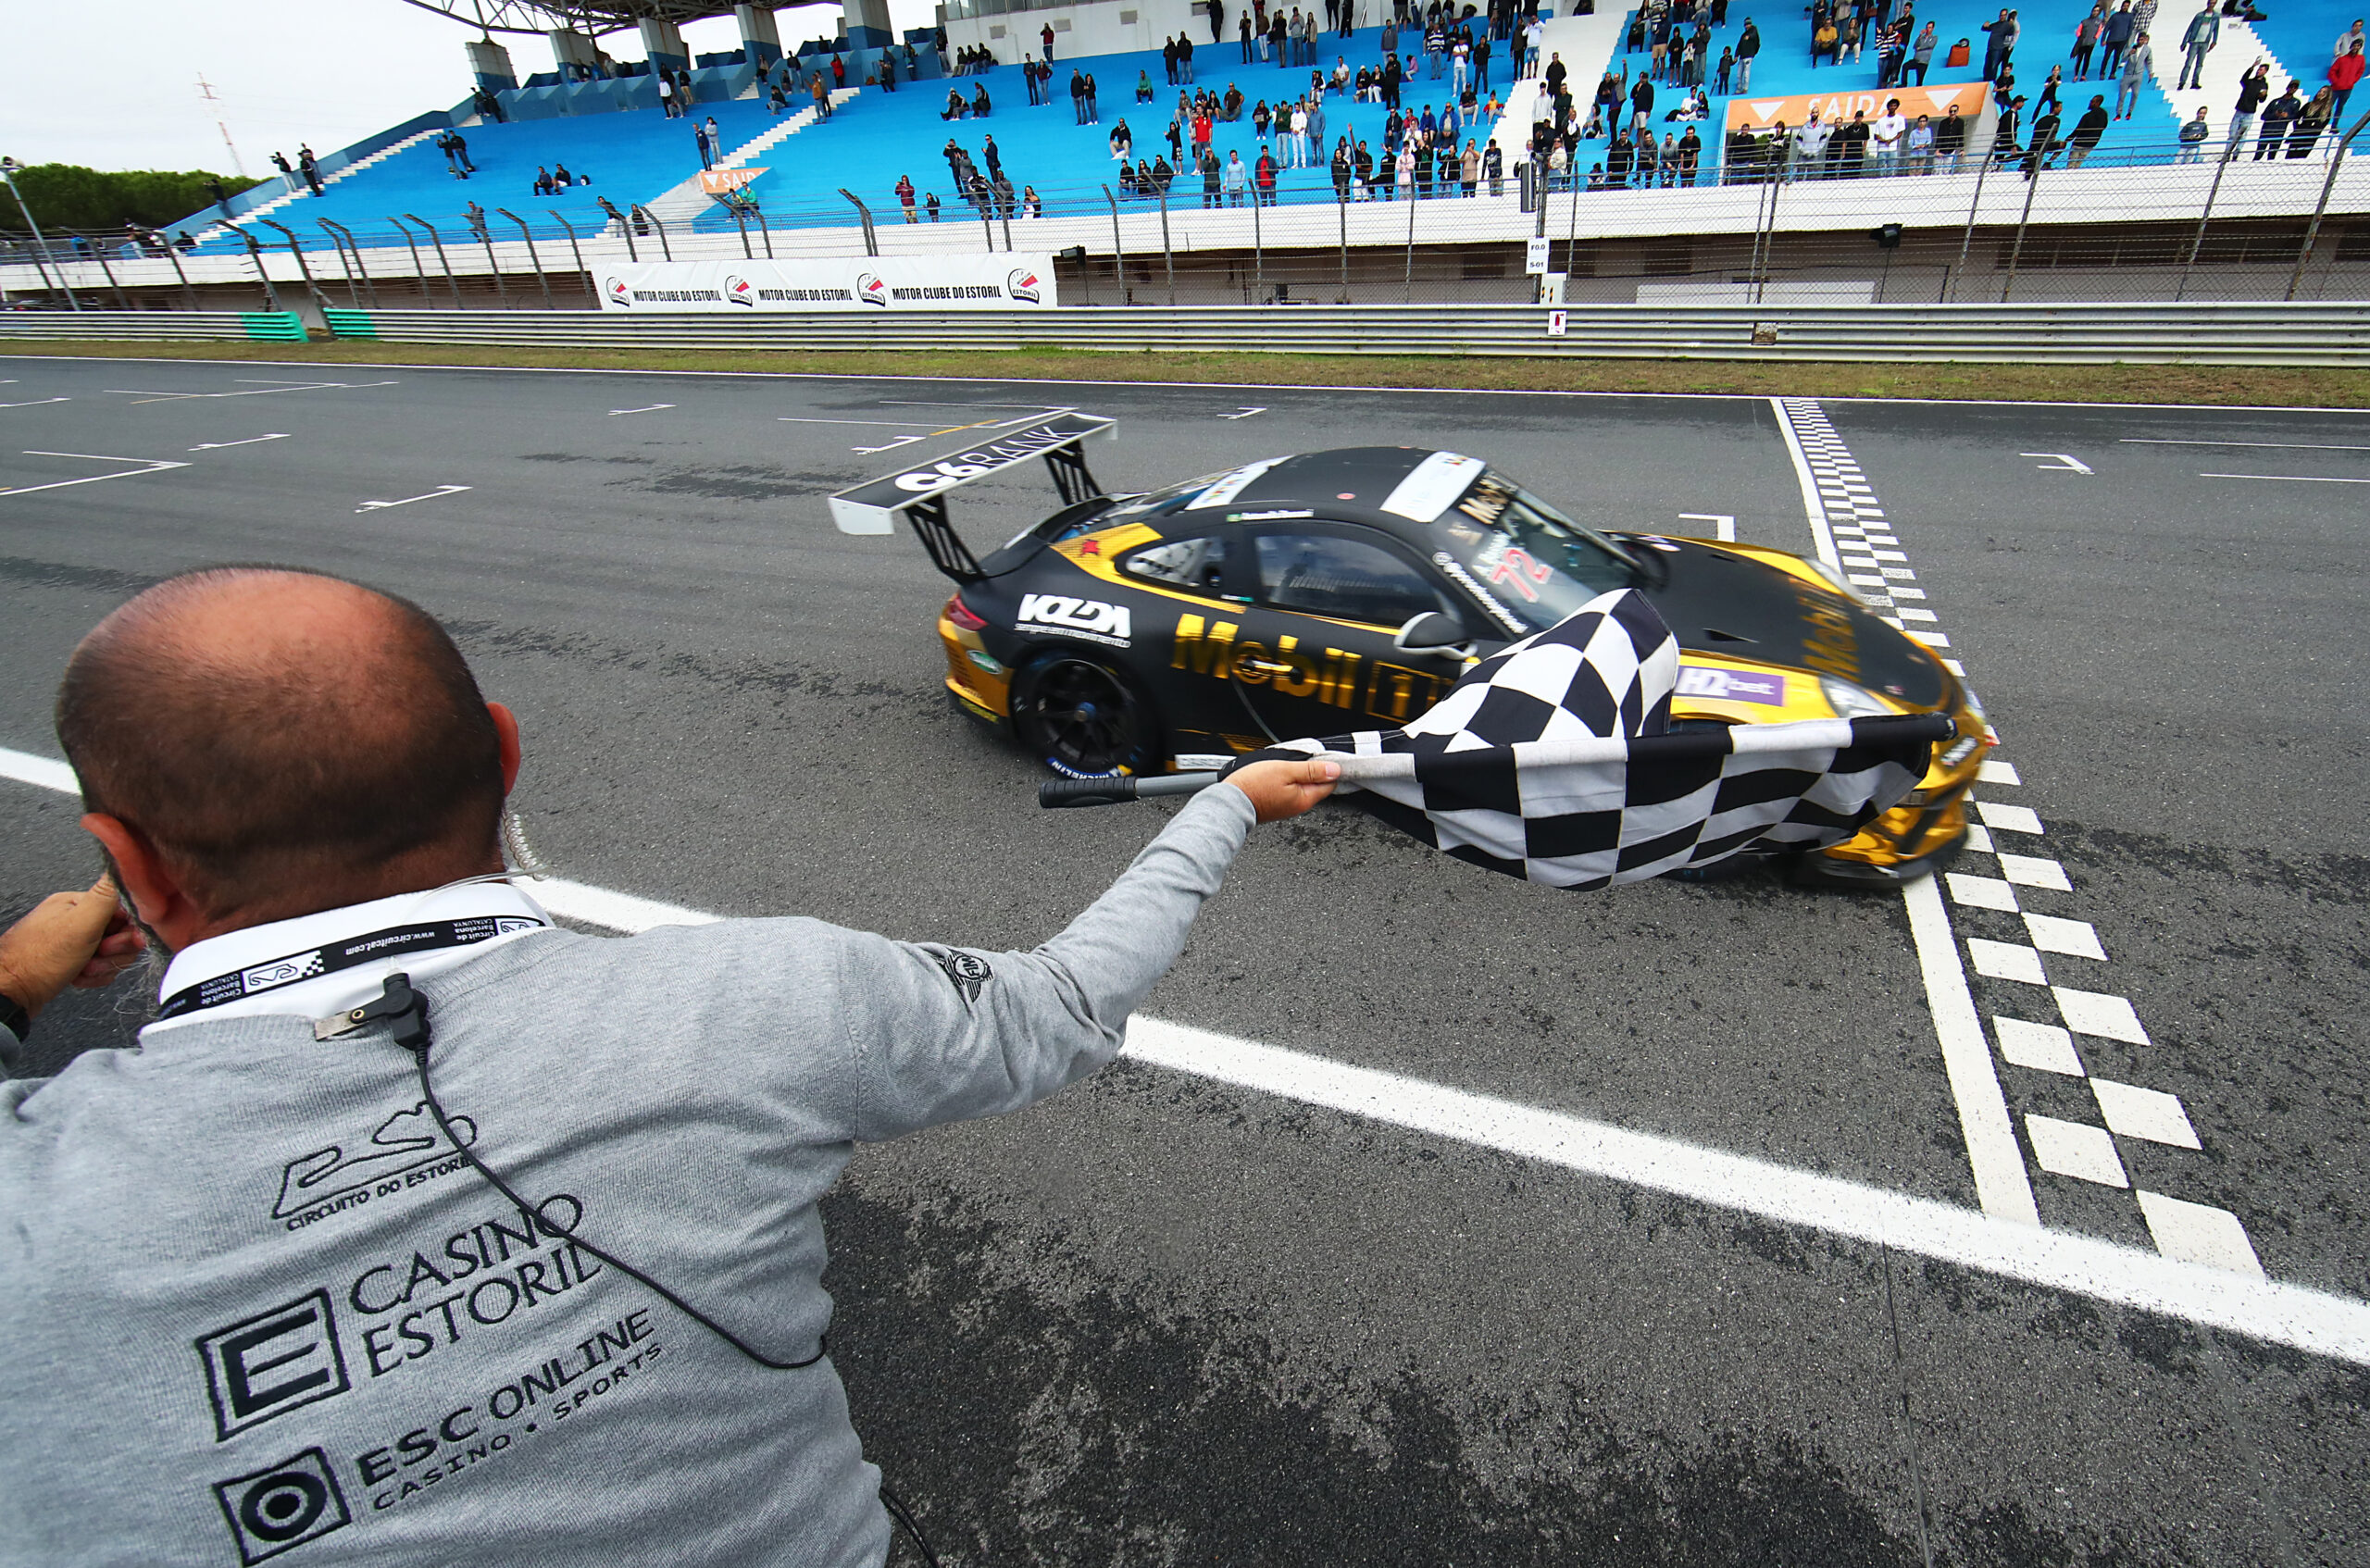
[[2167, 385]]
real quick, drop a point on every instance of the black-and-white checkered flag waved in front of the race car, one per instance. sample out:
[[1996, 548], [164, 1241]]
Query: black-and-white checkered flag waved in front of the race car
[[1554, 761]]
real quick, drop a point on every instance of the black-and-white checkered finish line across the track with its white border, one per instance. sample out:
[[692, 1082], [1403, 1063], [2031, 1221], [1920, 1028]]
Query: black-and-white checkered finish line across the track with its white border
[[2018, 885]]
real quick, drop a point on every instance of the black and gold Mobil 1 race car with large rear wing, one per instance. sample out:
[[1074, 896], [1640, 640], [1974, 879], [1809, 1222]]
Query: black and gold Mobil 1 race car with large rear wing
[[1347, 591]]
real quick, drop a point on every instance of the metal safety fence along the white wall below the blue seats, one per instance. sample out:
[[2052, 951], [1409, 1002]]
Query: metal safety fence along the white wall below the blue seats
[[1947, 231]]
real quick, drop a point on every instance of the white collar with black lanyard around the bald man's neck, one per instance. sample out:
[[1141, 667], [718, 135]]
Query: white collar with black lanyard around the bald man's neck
[[290, 965]]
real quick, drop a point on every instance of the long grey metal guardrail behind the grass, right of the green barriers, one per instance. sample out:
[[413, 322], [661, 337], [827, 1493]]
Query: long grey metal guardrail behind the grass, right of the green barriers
[[2065, 335]]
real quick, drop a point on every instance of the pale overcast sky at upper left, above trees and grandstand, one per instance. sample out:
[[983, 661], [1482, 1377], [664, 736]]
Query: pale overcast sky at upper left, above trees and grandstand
[[115, 86]]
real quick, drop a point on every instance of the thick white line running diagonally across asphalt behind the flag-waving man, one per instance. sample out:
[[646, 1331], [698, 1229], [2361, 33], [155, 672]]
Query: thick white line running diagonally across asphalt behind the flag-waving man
[[2084, 1266]]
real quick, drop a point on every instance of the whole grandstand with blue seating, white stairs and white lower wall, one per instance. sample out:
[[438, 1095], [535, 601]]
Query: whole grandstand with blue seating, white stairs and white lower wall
[[2129, 207]]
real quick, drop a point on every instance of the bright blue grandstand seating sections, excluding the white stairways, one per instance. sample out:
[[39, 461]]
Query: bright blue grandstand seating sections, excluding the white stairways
[[634, 155]]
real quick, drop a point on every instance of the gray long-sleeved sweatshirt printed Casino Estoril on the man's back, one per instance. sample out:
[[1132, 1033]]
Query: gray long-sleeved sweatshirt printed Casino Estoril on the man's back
[[260, 1306]]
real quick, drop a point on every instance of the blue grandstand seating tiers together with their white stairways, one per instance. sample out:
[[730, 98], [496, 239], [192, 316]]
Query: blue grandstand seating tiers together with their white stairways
[[613, 131]]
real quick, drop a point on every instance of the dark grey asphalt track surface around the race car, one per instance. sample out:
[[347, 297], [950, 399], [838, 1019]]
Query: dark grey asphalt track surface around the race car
[[1177, 1320]]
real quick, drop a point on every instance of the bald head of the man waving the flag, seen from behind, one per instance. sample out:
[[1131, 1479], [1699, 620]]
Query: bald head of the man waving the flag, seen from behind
[[286, 743]]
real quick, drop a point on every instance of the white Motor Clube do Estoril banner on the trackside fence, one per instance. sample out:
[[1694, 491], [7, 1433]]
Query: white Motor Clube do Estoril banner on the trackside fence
[[833, 283]]
